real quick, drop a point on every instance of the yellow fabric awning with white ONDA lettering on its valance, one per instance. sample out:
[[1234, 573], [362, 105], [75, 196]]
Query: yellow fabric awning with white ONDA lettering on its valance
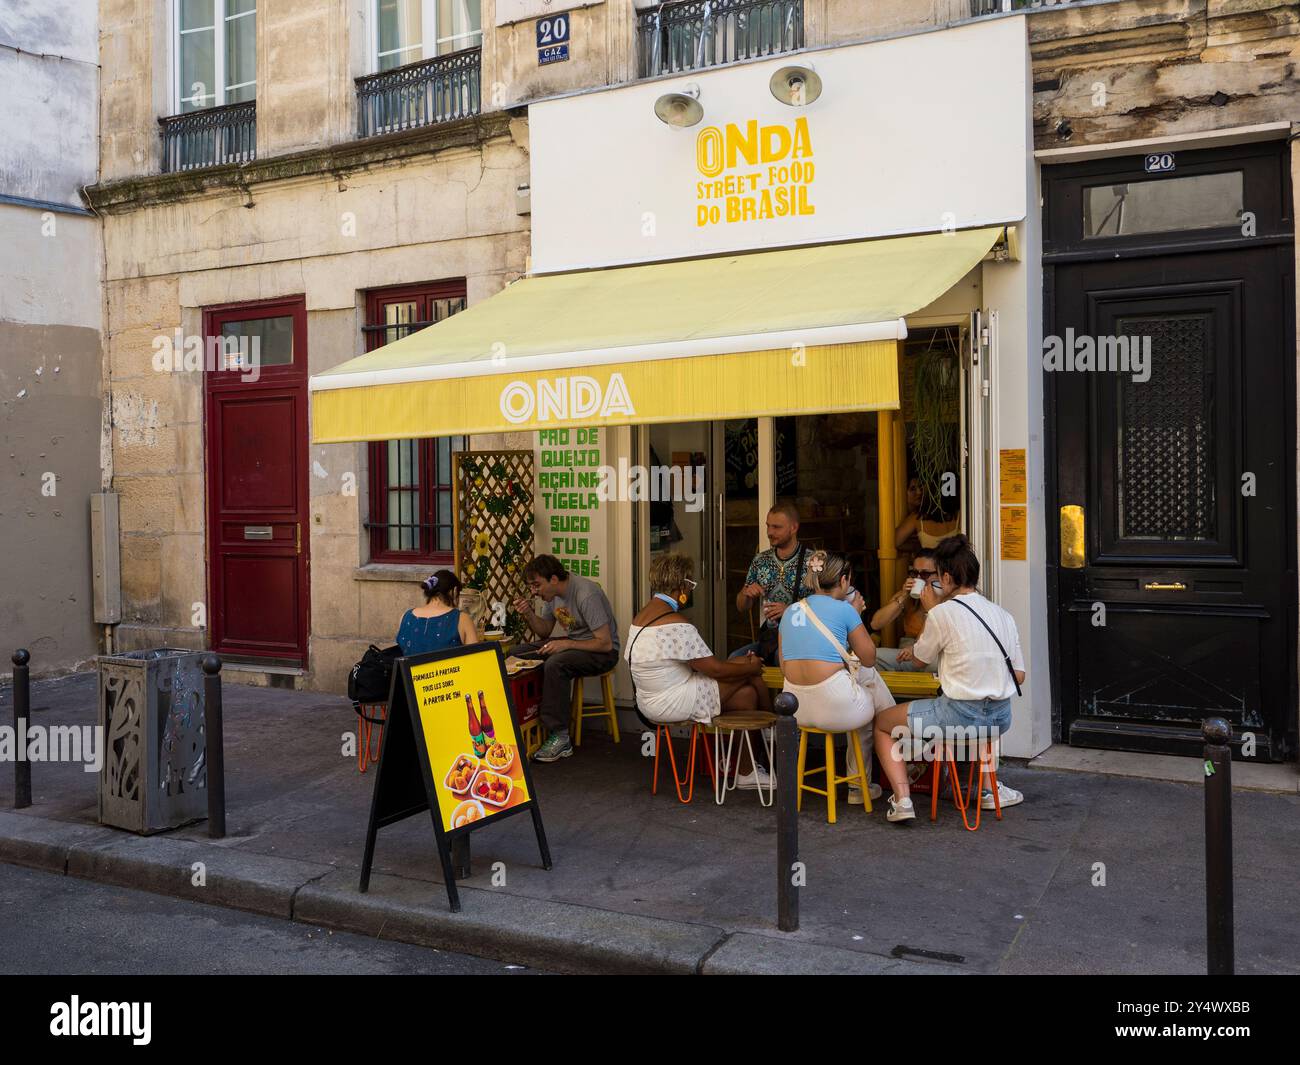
[[799, 331]]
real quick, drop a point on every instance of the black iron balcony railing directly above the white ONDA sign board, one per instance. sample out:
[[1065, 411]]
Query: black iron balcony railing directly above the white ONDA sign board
[[694, 34]]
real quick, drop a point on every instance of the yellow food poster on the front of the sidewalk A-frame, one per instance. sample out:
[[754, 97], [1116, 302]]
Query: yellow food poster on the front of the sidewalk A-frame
[[475, 755]]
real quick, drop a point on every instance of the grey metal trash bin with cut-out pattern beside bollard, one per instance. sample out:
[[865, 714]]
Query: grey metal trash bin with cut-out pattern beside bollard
[[155, 755]]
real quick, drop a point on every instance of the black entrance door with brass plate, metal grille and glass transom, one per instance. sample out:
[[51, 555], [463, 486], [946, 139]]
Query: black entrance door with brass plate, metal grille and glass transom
[[1175, 474]]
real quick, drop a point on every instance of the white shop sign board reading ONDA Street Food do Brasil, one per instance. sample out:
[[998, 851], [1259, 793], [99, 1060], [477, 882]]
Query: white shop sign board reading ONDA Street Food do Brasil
[[917, 135]]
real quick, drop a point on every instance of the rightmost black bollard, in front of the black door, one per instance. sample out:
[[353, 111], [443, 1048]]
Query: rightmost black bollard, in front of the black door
[[1219, 847]]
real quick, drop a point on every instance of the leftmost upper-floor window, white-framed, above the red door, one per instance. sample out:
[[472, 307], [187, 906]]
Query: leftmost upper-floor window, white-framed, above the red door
[[216, 53]]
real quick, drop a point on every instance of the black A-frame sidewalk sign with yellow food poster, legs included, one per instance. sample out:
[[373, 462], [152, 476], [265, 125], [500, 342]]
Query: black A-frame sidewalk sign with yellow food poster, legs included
[[452, 746]]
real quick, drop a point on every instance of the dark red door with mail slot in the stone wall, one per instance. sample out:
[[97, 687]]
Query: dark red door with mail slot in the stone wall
[[257, 444]]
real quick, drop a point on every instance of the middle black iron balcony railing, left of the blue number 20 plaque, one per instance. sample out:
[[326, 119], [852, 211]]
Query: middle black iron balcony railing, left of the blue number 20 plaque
[[421, 94]]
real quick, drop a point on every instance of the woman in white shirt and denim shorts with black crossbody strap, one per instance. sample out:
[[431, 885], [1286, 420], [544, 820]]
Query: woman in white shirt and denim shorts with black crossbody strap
[[981, 666]]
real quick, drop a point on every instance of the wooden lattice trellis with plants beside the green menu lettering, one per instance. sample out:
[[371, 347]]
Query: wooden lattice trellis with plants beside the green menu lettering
[[493, 508]]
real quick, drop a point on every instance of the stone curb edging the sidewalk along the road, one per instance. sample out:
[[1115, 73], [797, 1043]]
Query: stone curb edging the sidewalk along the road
[[557, 937]]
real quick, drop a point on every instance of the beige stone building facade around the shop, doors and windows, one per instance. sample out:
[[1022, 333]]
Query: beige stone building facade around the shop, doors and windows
[[330, 211]]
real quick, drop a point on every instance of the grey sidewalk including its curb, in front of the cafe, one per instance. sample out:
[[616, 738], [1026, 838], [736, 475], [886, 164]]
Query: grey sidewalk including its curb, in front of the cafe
[[643, 884]]
